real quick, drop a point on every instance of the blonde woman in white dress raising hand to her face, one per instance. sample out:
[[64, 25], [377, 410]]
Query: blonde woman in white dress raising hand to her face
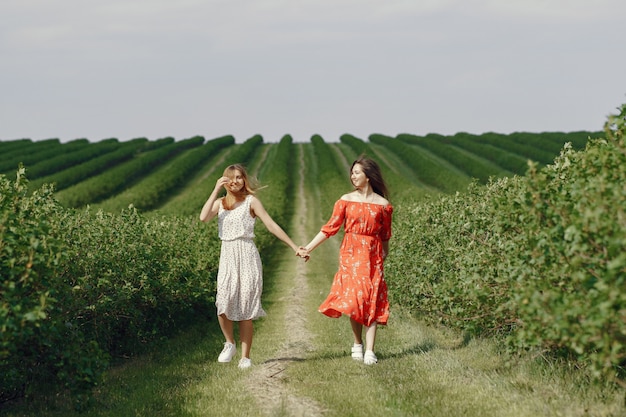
[[240, 275]]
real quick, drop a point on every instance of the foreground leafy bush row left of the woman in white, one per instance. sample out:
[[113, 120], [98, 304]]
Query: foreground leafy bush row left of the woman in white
[[79, 288]]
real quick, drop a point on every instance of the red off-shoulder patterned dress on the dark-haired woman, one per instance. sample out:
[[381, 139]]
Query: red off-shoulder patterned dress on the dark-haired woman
[[359, 289]]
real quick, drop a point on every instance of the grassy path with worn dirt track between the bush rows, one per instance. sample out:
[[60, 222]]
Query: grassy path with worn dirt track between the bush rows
[[302, 365]]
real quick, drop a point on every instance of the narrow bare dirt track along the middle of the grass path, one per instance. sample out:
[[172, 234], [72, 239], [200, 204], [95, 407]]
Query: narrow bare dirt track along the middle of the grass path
[[267, 381]]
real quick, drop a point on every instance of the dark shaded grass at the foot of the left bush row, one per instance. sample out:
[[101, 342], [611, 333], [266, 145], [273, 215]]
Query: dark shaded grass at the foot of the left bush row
[[150, 384]]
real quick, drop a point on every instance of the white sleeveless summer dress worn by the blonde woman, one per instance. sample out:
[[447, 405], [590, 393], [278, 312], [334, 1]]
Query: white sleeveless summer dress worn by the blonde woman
[[240, 272]]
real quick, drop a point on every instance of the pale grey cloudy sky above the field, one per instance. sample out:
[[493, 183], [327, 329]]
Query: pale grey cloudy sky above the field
[[154, 68]]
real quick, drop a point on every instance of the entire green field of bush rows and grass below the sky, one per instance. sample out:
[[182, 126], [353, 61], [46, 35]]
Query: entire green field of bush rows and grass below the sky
[[506, 273]]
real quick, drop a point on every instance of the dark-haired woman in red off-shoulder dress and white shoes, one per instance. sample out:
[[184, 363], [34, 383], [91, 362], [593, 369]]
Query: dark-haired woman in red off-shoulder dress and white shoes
[[359, 289]]
